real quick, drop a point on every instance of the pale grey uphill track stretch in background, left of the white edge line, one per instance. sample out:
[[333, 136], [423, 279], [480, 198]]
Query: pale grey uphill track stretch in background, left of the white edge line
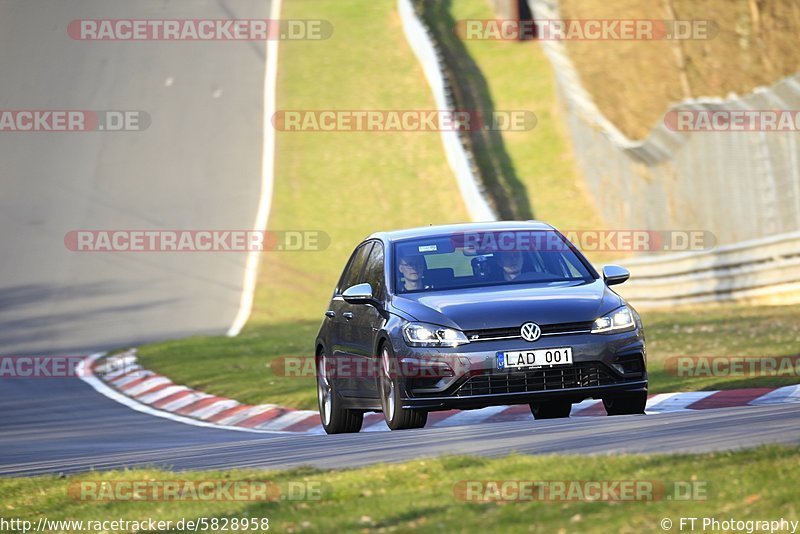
[[198, 95]]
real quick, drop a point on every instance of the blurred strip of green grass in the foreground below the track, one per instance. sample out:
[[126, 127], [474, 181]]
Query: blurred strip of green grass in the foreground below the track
[[753, 484]]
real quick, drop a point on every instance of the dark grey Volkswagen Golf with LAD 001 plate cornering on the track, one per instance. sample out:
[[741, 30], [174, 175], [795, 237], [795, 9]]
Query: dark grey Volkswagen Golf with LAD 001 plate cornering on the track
[[475, 315]]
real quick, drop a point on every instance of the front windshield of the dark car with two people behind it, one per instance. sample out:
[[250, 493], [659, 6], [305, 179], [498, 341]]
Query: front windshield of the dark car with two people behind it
[[479, 259]]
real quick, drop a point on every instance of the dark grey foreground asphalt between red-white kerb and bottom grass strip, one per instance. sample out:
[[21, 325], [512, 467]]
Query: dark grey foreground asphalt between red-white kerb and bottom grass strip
[[63, 425]]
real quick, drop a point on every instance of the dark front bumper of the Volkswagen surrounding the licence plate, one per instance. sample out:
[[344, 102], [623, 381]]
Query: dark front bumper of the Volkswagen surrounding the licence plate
[[604, 365]]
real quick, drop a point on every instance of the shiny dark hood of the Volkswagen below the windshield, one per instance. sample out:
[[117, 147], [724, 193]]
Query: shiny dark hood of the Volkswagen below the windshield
[[506, 306]]
